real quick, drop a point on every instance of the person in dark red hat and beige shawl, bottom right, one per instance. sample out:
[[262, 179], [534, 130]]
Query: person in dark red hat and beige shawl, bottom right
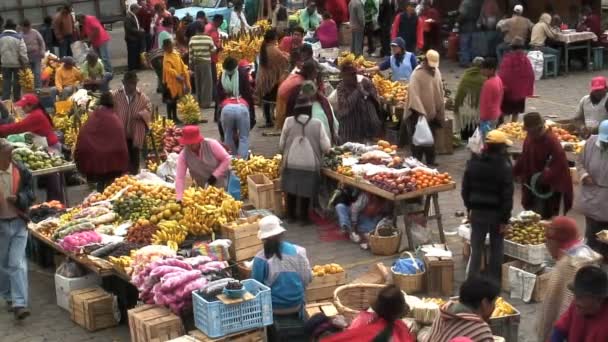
[[566, 247]]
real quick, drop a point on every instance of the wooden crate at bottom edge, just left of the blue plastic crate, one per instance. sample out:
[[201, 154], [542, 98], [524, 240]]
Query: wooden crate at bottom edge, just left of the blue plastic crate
[[154, 323]]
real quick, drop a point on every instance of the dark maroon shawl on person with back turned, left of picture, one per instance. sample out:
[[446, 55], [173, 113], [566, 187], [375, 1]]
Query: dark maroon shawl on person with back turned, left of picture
[[101, 147]]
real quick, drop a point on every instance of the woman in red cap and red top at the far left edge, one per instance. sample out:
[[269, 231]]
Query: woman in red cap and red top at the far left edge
[[39, 123]]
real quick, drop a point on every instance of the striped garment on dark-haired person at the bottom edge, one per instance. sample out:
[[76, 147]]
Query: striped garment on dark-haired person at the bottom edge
[[455, 320]]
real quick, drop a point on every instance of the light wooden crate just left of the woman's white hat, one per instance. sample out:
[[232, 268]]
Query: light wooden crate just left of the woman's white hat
[[245, 242]]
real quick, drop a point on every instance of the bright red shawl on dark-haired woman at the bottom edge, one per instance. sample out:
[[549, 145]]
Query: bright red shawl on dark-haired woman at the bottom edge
[[367, 326]]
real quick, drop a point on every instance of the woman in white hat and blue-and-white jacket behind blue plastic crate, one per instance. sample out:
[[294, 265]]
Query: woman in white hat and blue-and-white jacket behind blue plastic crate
[[282, 266]]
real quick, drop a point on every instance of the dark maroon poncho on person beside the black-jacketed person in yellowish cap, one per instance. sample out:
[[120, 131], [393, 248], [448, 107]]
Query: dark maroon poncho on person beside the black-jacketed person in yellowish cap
[[555, 172]]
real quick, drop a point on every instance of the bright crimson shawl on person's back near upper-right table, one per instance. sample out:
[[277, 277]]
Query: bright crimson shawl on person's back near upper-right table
[[517, 76]]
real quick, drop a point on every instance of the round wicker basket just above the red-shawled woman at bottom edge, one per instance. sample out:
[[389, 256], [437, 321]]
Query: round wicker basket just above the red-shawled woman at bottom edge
[[354, 298]]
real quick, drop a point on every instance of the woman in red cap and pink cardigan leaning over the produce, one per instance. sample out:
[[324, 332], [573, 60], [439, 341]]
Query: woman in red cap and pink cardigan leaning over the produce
[[205, 158]]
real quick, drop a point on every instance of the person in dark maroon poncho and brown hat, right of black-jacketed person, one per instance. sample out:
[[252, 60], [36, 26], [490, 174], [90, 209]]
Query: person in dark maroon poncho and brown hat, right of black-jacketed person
[[543, 170]]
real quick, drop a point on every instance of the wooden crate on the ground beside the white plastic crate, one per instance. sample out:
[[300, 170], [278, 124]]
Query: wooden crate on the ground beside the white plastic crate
[[93, 308]]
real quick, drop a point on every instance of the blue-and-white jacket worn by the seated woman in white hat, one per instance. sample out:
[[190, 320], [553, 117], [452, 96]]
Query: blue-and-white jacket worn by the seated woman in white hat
[[287, 277]]
